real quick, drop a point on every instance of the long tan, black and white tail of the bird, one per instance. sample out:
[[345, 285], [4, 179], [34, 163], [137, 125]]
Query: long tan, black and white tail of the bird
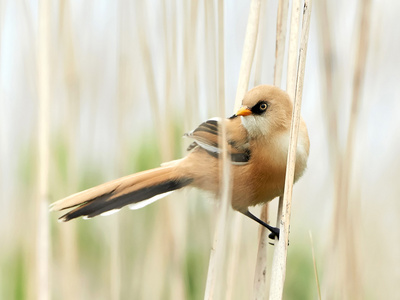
[[135, 190]]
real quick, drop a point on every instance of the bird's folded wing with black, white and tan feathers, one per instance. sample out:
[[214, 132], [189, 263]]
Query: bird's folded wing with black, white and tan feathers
[[207, 136]]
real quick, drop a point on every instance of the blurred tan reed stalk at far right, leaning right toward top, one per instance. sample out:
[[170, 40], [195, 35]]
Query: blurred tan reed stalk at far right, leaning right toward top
[[350, 214]]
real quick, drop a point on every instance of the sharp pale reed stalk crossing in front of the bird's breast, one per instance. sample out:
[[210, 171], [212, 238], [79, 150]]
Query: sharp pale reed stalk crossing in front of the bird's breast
[[280, 253]]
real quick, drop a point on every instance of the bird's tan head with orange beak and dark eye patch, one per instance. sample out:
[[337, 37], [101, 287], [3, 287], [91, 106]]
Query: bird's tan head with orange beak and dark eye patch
[[266, 109]]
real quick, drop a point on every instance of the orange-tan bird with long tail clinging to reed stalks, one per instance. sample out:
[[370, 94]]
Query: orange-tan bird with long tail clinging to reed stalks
[[257, 141]]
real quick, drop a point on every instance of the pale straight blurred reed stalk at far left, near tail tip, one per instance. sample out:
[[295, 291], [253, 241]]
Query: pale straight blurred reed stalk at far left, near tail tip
[[43, 230]]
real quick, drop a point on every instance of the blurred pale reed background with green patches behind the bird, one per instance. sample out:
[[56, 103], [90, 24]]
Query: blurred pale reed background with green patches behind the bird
[[116, 71]]
